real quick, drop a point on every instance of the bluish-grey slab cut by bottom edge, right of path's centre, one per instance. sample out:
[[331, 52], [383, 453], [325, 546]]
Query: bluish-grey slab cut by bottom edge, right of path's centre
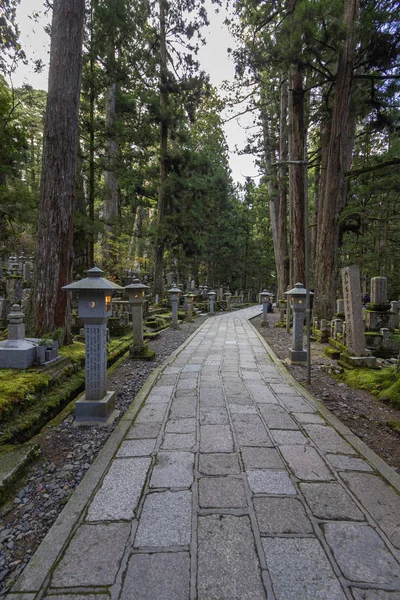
[[300, 570]]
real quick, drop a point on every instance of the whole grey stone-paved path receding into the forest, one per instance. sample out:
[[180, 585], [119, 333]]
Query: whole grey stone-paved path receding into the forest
[[230, 484]]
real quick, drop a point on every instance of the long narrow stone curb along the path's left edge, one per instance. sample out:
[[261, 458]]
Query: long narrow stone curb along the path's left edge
[[41, 563]]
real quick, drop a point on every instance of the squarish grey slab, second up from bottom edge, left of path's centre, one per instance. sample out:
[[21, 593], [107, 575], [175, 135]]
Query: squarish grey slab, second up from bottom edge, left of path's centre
[[165, 520]]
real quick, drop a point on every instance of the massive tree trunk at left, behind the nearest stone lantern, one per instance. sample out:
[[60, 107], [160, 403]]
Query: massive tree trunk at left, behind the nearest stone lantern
[[54, 240]]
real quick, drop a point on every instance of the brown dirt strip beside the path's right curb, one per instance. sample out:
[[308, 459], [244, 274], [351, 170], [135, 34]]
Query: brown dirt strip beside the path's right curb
[[359, 410]]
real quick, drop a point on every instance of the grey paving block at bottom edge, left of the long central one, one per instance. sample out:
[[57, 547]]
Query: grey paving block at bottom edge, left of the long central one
[[162, 576]]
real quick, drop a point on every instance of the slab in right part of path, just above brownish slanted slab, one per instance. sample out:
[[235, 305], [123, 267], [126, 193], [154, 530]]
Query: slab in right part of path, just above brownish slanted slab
[[306, 463]]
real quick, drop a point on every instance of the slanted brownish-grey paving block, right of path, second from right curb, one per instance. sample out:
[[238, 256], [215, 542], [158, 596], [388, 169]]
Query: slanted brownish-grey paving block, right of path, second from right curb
[[331, 501]]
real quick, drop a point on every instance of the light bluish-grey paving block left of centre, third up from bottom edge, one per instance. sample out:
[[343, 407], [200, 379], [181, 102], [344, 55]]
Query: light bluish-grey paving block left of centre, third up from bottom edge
[[173, 469]]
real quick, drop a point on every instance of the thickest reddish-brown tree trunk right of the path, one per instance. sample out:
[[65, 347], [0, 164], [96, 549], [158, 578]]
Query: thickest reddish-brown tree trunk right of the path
[[333, 184]]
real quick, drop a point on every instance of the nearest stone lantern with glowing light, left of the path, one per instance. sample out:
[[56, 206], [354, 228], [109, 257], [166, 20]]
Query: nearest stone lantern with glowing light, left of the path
[[95, 294]]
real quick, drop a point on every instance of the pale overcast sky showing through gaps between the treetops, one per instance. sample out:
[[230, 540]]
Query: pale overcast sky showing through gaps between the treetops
[[213, 57]]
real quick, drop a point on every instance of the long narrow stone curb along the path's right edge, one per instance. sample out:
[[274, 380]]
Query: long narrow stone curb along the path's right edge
[[380, 465]]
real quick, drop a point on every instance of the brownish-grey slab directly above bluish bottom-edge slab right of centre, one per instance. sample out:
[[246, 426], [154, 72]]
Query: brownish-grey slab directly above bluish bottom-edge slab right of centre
[[281, 515]]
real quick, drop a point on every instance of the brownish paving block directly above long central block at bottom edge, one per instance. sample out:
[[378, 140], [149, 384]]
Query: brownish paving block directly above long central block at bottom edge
[[221, 492]]
